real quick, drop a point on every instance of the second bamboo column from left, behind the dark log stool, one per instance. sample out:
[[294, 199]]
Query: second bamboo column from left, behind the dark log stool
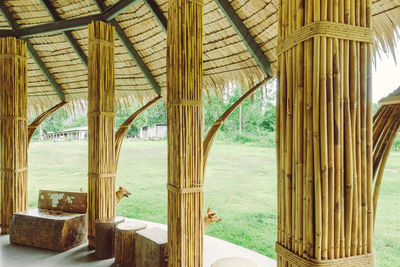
[[101, 120]]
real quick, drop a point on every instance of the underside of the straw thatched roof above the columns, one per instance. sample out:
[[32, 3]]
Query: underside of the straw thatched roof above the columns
[[227, 57]]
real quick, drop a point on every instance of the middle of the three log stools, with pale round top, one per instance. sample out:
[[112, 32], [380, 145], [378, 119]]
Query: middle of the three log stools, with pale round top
[[125, 243]]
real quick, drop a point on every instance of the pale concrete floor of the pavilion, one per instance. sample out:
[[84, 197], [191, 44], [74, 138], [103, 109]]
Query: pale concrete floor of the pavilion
[[18, 256]]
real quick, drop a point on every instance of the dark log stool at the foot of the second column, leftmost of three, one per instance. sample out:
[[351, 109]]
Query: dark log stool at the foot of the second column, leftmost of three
[[105, 234]]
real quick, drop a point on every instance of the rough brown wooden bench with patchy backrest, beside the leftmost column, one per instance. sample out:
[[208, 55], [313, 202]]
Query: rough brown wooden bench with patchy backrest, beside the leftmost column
[[59, 223]]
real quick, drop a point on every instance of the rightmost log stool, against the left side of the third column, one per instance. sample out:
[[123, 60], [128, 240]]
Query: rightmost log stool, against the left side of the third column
[[151, 248]]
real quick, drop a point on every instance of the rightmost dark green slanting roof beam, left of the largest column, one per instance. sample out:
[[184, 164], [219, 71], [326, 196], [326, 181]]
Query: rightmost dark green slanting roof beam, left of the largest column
[[245, 35]]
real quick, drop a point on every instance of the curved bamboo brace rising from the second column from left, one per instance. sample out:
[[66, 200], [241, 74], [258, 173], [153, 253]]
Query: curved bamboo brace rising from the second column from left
[[123, 129]]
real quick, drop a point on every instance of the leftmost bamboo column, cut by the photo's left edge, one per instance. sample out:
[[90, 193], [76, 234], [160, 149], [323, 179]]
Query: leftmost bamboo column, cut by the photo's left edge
[[13, 130]]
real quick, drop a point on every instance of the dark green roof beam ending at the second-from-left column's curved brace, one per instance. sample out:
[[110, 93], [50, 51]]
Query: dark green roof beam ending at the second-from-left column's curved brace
[[131, 50]]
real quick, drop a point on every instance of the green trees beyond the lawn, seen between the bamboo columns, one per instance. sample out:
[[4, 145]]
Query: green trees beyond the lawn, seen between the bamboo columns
[[252, 122]]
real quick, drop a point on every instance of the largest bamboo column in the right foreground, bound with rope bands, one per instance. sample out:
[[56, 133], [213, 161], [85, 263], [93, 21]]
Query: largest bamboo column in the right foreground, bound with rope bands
[[324, 133]]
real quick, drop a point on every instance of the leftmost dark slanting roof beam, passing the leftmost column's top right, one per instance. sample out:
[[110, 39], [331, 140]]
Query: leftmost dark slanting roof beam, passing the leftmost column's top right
[[39, 62]]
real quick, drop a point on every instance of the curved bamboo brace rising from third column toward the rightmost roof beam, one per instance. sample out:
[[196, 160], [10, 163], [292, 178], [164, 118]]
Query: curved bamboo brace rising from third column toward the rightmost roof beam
[[209, 139]]
